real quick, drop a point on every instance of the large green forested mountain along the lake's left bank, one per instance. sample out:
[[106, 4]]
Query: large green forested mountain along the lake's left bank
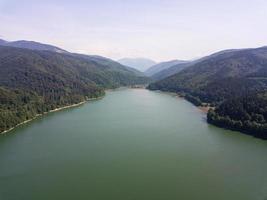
[[34, 82]]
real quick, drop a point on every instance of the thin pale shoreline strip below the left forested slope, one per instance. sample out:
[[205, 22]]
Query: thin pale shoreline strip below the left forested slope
[[51, 111]]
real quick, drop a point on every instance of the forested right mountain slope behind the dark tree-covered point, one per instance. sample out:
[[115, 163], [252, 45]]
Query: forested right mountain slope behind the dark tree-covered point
[[219, 70]]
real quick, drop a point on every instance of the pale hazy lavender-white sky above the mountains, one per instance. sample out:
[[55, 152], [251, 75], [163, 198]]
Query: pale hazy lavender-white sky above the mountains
[[157, 29]]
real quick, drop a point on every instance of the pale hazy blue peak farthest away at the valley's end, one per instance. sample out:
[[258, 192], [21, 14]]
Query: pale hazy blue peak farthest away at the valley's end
[[140, 64]]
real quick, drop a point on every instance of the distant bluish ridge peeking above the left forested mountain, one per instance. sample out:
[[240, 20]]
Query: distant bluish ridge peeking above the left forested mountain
[[32, 45]]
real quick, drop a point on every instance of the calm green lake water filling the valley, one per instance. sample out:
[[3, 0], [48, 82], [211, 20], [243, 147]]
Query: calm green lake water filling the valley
[[133, 144]]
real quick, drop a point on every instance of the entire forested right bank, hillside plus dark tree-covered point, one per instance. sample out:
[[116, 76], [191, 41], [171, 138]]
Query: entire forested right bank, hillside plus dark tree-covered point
[[233, 81]]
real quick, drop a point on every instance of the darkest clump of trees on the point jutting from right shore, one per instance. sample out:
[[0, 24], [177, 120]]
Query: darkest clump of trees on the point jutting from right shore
[[247, 114]]
